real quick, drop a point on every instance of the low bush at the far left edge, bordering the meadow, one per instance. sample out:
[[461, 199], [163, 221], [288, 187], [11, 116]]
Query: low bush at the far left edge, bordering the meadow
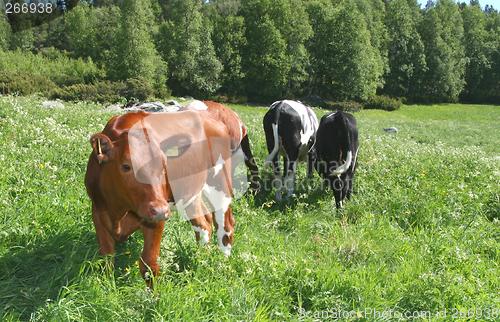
[[25, 84]]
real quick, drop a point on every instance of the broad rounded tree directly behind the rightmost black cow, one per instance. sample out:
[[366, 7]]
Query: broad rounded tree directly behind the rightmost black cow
[[344, 61]]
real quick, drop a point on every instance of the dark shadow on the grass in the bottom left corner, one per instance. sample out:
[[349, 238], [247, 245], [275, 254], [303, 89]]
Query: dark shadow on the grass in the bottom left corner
[[32, 274]]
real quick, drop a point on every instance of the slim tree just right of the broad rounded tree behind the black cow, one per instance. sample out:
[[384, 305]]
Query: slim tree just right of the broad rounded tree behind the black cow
[[405, 51]]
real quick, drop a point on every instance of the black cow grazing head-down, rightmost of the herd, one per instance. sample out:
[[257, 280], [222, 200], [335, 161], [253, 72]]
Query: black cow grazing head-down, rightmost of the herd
[[336, 153]]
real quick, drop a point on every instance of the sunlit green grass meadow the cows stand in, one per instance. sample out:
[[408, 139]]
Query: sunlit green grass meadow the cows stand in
[[420, 234]]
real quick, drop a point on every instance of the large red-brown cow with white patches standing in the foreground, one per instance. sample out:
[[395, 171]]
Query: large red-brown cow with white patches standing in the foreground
[[133, 175]]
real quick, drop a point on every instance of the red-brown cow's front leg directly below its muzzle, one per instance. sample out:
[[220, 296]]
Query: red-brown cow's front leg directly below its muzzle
[[151, 251]]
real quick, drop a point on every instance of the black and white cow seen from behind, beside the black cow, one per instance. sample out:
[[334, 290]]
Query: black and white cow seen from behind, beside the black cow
[[290, 128]]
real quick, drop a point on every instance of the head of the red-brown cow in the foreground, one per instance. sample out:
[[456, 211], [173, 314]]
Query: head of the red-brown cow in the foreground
[[137, 187]]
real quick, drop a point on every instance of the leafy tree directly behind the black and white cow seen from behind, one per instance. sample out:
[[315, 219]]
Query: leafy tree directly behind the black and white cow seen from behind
[[276, 59]]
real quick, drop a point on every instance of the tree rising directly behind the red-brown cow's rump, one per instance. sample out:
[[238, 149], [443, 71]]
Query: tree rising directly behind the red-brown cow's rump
[[185, 43]]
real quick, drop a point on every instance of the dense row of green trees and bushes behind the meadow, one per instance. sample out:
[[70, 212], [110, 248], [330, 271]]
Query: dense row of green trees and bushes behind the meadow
[[260, 50]]
